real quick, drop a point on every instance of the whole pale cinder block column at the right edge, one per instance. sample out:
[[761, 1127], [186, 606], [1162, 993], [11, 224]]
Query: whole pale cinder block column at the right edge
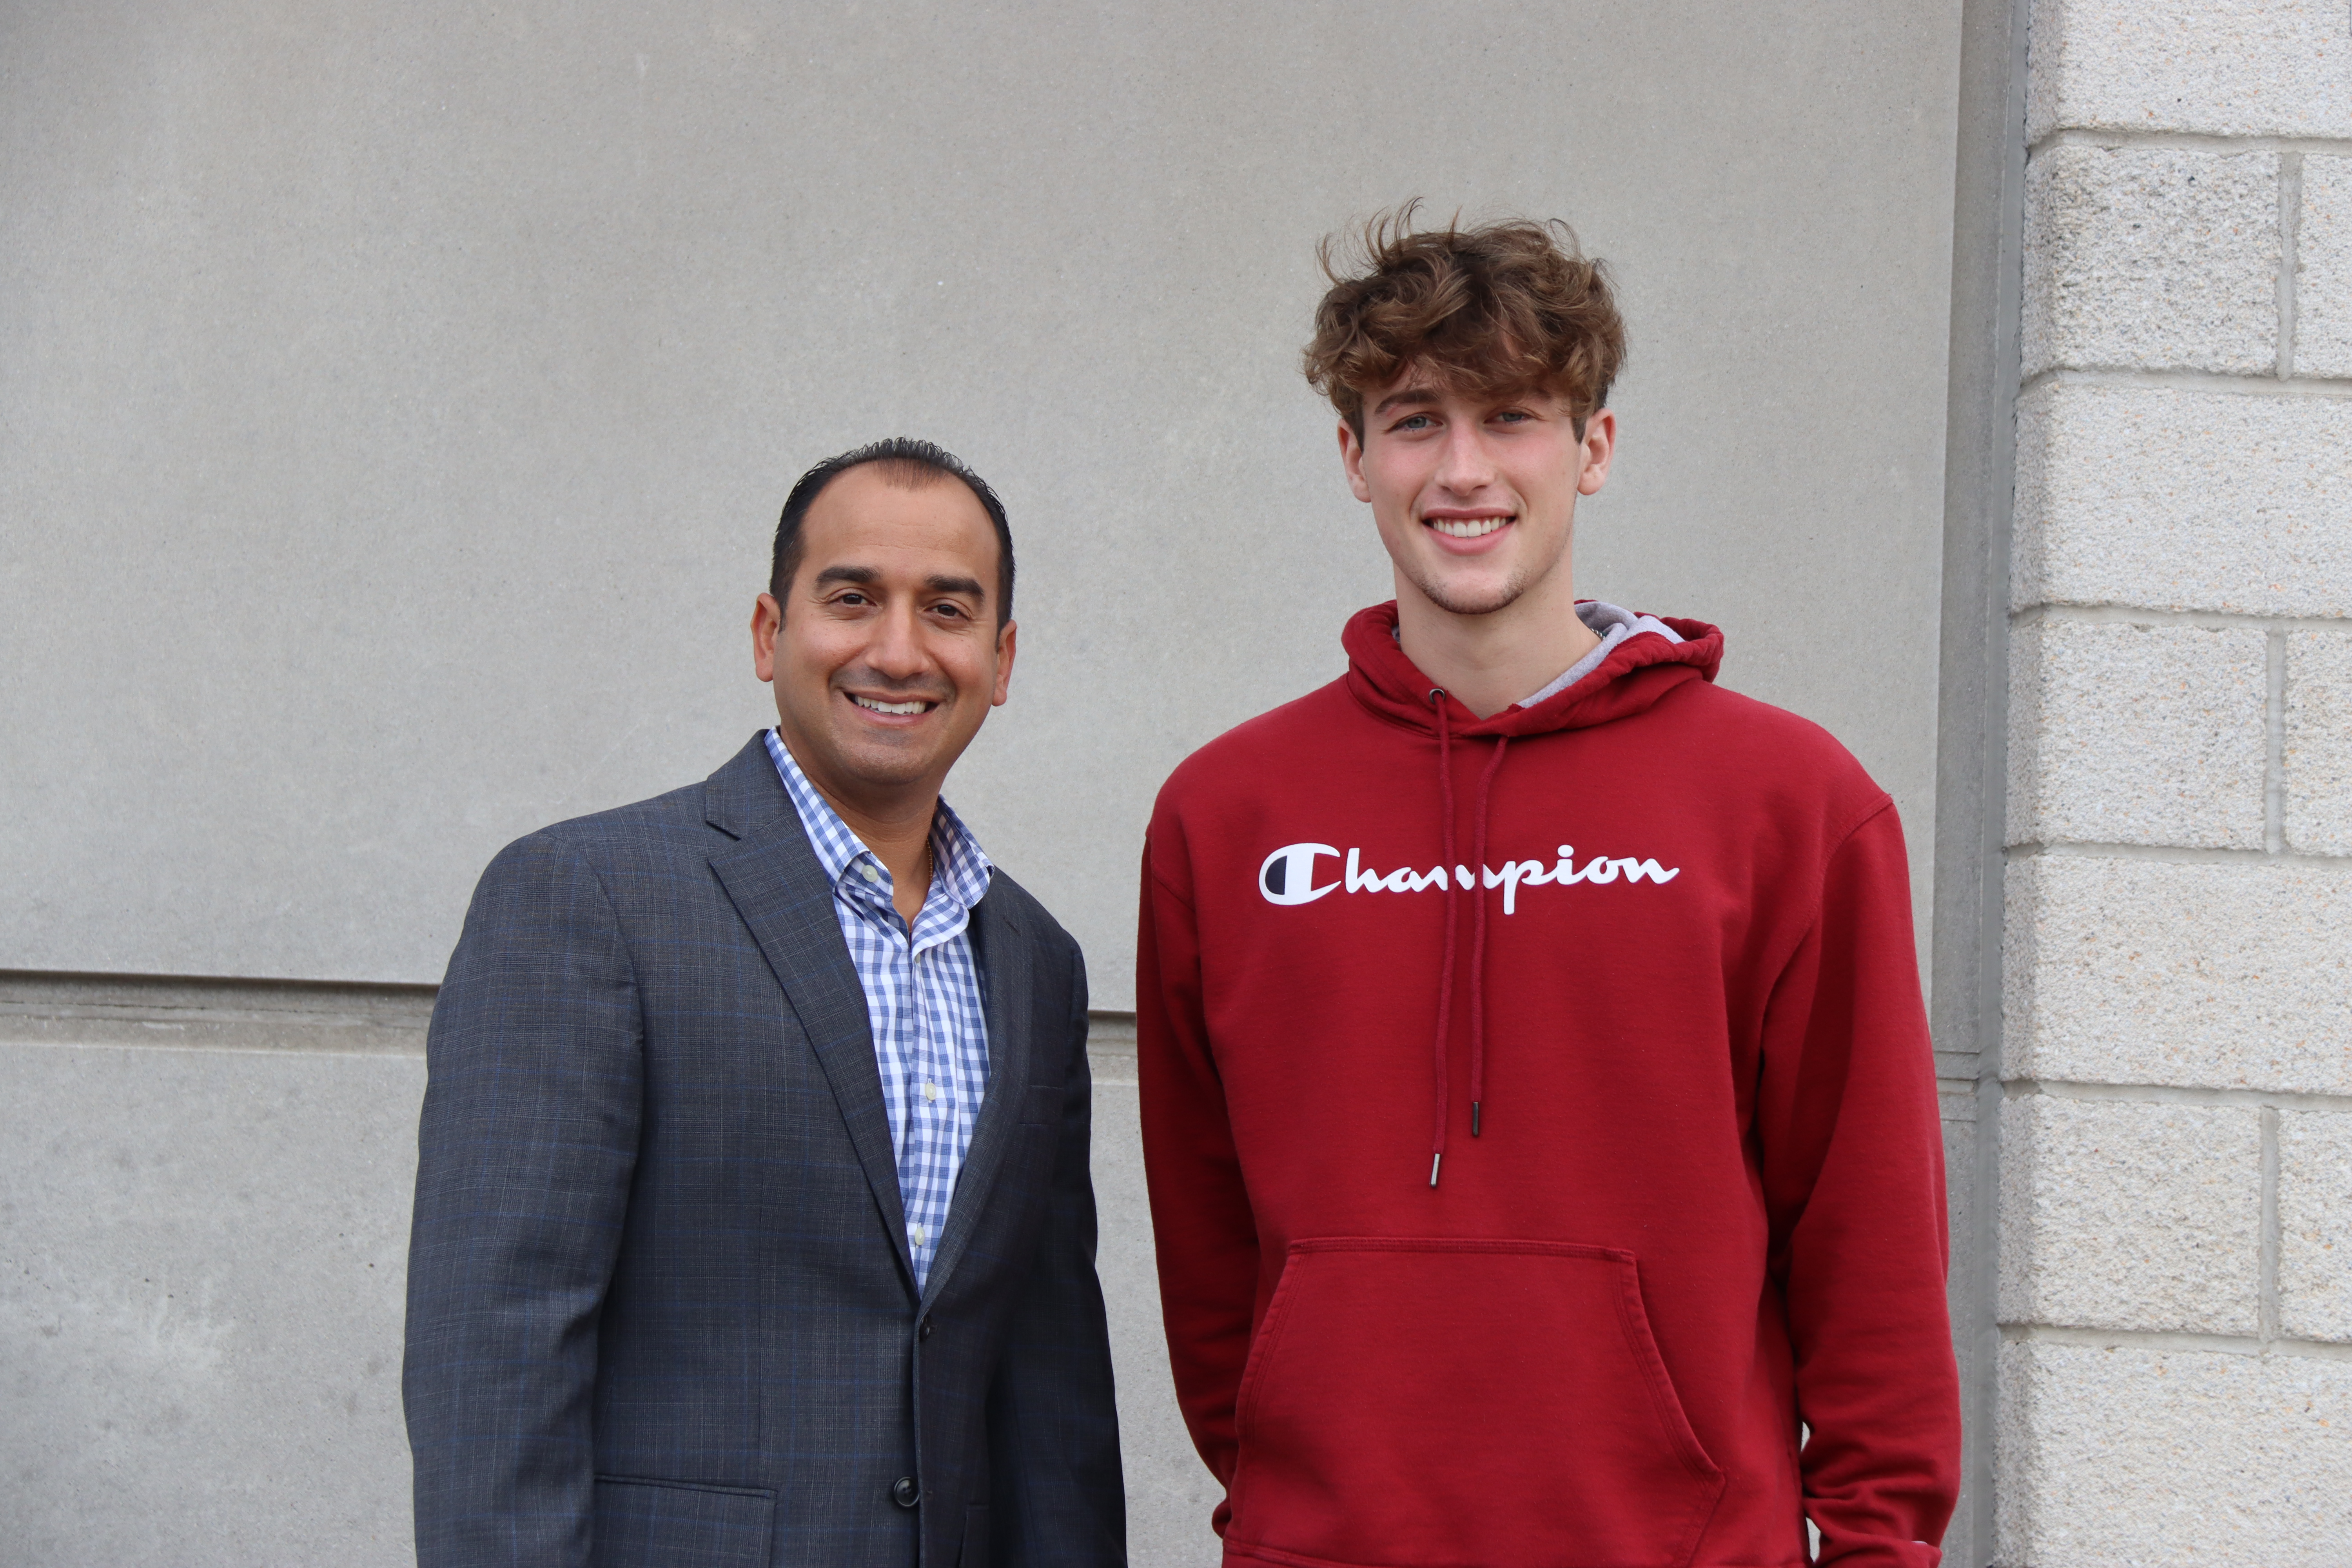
[[2177, 1134]]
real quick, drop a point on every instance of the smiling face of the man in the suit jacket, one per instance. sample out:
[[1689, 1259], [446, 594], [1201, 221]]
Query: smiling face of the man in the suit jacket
[[888, 652]]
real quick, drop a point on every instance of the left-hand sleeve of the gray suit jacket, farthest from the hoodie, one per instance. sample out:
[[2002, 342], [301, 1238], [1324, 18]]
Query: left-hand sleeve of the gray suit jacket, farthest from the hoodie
[[526, 1155]]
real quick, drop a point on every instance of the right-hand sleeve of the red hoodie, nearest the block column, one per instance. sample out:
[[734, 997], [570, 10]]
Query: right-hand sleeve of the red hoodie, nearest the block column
[[1855, 1188]]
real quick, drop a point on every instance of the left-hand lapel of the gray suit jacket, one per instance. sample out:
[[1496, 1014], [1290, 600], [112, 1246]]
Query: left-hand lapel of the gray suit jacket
[[780, 890]]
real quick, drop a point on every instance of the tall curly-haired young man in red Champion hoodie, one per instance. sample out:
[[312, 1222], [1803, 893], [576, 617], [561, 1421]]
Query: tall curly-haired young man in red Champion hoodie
[[1537, 1097]]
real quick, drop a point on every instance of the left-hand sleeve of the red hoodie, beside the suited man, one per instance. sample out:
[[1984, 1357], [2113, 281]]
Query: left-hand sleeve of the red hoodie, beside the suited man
[[1203, 1226]]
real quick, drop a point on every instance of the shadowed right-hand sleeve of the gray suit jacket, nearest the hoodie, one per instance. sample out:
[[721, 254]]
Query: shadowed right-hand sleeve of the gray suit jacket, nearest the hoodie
[[1053, 1423]]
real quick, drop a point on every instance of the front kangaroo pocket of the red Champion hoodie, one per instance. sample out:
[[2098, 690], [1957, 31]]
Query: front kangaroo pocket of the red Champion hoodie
[[1495, 1405]]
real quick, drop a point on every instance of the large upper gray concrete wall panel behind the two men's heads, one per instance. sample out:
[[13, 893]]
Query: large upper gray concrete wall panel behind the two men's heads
[[394, 401]]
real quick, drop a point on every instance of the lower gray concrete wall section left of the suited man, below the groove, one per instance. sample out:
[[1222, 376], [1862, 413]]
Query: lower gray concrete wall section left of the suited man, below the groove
[[201, 1292]]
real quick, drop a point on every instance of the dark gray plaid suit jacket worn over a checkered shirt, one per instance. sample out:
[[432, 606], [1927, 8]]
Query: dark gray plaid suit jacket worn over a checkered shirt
[[660, 1294]]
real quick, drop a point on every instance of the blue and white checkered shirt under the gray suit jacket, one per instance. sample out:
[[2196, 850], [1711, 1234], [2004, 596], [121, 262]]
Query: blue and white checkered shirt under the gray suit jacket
[[923, 998]]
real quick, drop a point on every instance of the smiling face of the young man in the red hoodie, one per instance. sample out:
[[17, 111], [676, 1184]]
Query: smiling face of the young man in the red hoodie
[[1474, 495]]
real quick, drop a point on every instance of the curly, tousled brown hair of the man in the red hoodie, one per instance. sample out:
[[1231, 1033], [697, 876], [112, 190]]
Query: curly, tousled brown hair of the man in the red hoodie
[[1490, 309]]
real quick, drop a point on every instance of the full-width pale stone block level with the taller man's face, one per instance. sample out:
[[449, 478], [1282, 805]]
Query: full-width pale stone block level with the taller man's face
[[2184, 502]]
